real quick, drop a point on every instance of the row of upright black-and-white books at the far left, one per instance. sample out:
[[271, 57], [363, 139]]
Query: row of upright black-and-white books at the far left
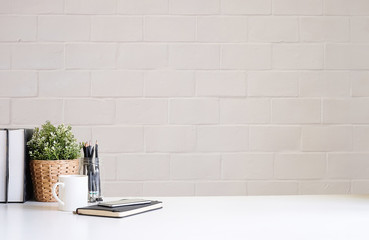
[[15, 180]]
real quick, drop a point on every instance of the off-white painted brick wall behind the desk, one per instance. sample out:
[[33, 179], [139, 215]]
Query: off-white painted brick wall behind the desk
[[198, 97]]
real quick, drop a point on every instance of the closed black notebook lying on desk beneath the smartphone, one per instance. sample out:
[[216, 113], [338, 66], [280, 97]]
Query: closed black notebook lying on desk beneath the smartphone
[[119, 212]]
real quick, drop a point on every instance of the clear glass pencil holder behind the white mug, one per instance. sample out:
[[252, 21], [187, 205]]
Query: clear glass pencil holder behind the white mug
[[91, 168]]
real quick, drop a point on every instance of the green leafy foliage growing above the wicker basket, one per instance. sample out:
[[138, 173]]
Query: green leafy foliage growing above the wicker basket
[[53, 143]]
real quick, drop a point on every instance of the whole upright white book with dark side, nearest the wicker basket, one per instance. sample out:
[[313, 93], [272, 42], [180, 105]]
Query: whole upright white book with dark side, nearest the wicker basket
[[18, 181]]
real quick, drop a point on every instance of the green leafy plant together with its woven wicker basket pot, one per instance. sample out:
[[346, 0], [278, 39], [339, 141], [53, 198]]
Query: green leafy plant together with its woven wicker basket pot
[[53, 151]]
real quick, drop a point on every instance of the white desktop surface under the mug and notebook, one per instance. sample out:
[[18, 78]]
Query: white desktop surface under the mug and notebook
[[273, 217]]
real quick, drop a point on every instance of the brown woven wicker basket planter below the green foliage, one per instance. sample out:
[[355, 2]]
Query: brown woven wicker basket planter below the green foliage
[[45, 173]]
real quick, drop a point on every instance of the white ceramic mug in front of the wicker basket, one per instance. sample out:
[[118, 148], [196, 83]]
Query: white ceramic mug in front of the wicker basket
[[73, 192]]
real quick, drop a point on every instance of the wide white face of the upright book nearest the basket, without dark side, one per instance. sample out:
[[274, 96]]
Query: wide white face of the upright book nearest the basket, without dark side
[[16, 165]]
